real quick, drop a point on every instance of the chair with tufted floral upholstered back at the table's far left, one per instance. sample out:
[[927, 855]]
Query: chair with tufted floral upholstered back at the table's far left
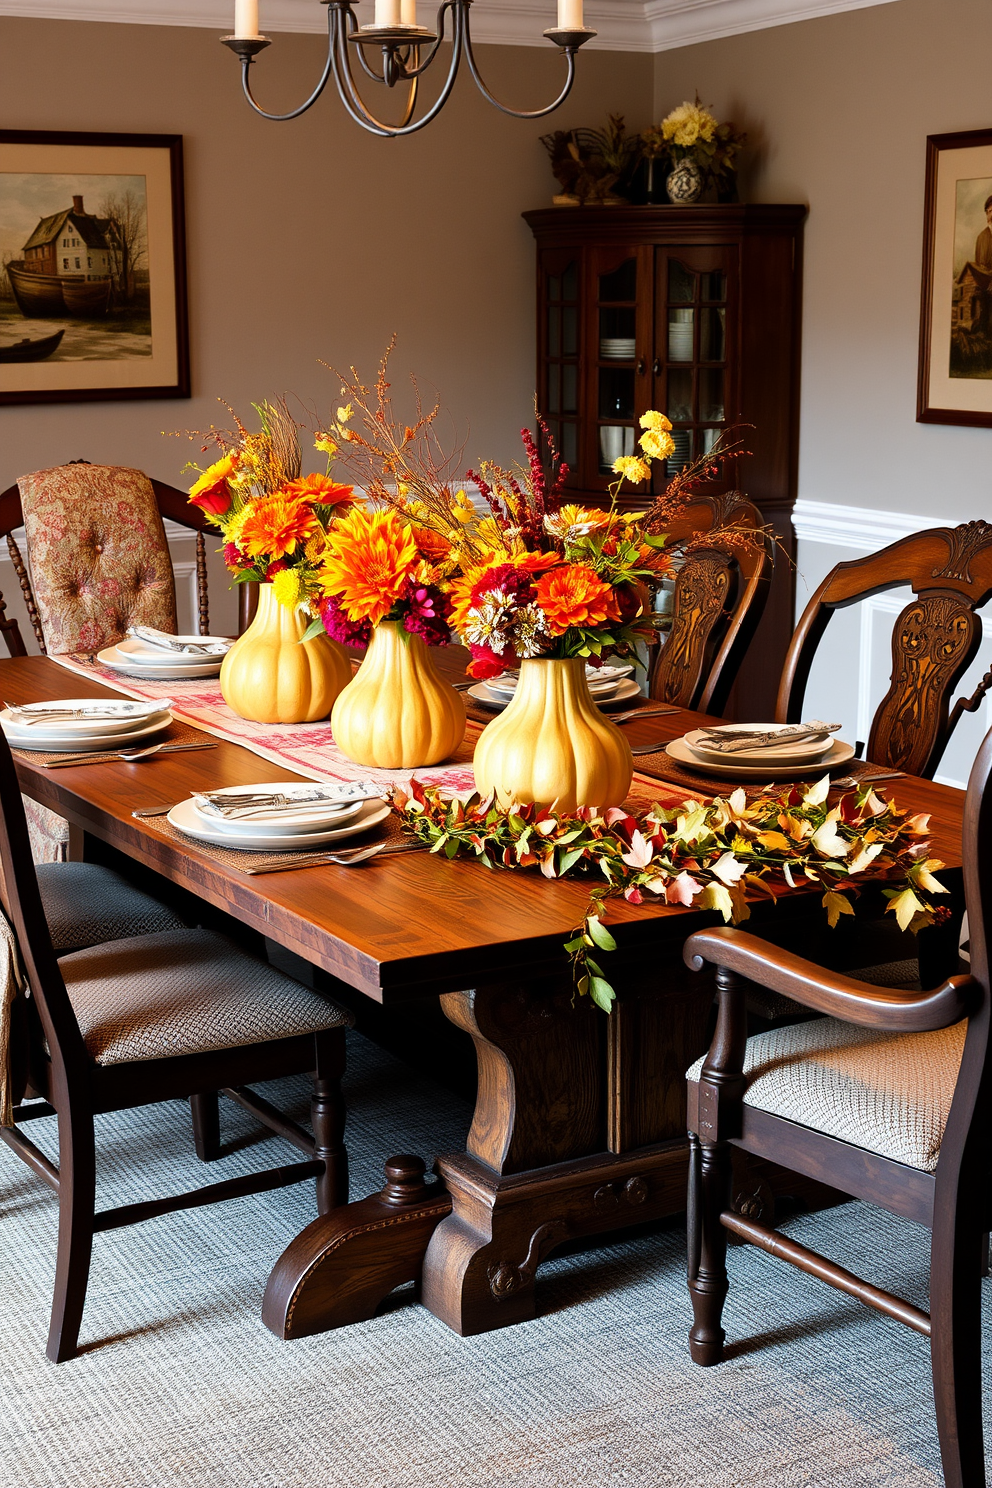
[[97, 562]]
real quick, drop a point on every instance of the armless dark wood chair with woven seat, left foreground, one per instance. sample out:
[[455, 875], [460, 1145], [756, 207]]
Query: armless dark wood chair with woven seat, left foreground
[[145, 1020]]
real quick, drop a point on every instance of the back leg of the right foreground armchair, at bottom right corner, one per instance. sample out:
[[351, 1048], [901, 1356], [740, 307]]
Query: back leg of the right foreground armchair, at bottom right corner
[[956, 1346]]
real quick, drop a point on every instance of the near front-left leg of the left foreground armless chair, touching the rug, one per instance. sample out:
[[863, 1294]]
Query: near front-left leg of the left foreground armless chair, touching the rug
[[77, 1208]]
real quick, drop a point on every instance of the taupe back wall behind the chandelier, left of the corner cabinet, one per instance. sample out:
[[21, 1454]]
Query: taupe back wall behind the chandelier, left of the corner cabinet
[[313, 239]]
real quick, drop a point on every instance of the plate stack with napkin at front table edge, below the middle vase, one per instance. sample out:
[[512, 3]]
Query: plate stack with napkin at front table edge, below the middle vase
[[303, 822]]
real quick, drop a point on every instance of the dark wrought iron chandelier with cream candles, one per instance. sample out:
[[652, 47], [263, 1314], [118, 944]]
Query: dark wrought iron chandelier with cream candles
[[407, 51]]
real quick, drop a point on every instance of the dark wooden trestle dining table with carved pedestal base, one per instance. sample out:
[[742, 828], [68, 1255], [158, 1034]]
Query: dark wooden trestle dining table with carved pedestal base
[[579, 1126]]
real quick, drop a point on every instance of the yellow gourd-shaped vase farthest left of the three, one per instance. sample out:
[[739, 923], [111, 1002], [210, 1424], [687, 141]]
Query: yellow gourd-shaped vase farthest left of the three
[[274, 676]]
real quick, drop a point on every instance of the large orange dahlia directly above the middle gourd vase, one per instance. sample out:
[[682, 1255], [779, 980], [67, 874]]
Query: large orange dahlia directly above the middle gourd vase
[[368, 562]]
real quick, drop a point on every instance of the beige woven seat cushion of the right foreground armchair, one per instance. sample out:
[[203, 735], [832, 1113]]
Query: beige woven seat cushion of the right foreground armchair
[[886, 1093]]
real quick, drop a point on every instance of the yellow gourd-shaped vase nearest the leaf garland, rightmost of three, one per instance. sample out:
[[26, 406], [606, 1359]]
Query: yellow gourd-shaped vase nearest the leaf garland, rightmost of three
[[553, 743]]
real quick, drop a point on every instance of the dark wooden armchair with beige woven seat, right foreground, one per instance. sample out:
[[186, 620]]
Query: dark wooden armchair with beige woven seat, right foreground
[[887, 1097]]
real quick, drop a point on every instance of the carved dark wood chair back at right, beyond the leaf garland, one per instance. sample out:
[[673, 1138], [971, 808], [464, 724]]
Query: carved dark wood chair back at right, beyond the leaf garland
[[935, 639]]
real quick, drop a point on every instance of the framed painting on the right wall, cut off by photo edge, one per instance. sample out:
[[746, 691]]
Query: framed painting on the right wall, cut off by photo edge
[[956, 334]]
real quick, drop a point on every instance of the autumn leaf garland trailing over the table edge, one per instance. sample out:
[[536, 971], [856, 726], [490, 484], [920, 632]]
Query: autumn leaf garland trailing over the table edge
[[709, 856]]
